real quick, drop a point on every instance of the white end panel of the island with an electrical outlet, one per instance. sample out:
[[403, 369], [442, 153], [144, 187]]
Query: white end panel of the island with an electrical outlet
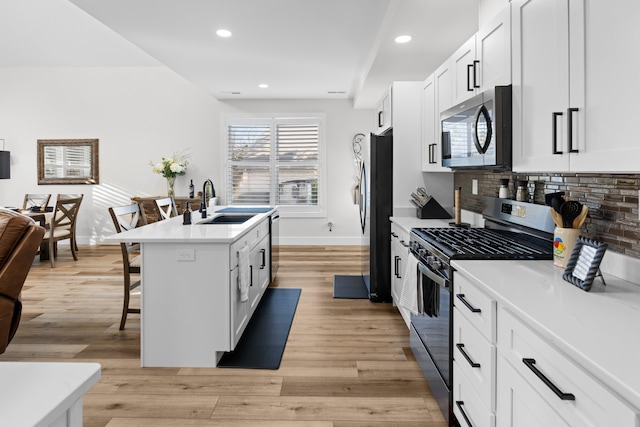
[[185, 310]]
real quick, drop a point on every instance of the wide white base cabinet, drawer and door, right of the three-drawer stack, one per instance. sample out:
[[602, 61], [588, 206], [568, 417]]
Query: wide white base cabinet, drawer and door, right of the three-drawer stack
[[539, 385]]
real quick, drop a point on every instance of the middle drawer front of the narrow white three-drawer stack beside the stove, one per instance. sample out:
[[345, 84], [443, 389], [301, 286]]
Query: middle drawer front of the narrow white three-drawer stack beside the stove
[[479, 364]]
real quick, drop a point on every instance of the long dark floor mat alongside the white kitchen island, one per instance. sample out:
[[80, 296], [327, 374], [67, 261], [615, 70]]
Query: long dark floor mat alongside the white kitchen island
[[263, 341]]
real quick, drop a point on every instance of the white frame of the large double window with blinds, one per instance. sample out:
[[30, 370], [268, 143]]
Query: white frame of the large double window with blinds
[[300, 211]]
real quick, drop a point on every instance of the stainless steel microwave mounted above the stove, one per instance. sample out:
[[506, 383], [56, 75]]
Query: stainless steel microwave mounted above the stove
[[476, 134]]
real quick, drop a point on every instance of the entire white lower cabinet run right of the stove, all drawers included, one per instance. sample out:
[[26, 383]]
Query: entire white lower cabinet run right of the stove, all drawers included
[[514, 377]]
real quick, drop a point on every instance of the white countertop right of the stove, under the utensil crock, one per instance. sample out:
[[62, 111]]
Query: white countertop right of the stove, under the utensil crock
[[597, 329]]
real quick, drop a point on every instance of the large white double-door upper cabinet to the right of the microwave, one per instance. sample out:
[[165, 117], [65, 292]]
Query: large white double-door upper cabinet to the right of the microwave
[[572, 79]]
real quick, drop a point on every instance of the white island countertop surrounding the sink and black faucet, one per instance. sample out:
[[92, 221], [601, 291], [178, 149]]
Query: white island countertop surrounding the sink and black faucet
[[172, 230]]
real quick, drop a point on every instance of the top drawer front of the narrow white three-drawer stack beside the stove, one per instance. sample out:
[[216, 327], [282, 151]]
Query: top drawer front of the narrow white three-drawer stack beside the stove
[[476, 306]]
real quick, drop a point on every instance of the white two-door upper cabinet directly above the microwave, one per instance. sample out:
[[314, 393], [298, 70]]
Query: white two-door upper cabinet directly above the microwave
[[484, 61]]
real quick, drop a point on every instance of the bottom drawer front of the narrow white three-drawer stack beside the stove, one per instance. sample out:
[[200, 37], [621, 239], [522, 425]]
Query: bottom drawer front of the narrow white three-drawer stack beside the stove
[[467, 406]]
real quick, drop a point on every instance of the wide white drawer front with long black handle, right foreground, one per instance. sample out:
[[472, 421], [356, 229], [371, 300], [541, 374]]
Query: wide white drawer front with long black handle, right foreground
[[592, 403]]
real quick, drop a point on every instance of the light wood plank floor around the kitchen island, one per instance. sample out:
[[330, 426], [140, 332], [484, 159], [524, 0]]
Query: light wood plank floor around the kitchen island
[[347, 362]]
